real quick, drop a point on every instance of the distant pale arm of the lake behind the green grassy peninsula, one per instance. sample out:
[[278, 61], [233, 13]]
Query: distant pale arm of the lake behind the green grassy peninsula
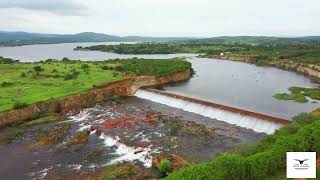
[[58, 51]]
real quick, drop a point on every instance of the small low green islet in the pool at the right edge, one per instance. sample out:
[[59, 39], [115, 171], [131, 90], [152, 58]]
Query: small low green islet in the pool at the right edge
[[299, 94]]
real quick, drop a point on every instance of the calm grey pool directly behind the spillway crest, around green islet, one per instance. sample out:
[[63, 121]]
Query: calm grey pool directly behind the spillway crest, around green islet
[[245, 86]]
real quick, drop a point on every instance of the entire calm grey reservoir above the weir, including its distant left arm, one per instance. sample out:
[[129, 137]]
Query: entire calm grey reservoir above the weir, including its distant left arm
[[231, 83]]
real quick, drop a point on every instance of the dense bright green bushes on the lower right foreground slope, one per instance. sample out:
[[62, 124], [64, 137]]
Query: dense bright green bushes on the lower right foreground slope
[[262, 160]]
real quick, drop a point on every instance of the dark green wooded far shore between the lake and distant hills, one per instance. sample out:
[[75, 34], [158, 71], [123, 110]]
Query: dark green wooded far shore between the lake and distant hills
[[306, 51]]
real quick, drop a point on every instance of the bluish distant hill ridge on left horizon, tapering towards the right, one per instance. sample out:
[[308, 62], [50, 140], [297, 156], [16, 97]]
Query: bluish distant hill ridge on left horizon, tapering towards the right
[[23, 38]]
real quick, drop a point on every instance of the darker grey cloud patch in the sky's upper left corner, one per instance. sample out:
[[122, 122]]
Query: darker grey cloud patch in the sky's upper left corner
[[58, 7]]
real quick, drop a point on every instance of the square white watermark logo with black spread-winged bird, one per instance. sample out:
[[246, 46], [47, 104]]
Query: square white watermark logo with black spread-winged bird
[[301, 164]]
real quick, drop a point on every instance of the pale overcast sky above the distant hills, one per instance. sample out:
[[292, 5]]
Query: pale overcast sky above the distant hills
[[193, 18]]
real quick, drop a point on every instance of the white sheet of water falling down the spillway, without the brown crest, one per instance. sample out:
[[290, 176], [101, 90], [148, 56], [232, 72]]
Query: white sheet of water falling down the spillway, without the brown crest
[[253, 123]]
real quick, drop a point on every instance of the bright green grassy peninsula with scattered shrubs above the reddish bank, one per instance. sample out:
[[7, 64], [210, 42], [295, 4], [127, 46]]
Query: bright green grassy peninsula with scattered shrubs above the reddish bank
[[22, 84]]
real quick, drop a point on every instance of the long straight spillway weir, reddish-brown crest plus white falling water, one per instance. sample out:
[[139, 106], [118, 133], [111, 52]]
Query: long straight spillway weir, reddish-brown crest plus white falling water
[[251, 120]]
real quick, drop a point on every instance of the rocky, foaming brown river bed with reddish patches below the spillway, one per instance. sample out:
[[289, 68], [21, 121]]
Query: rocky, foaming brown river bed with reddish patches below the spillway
[[130, 130]]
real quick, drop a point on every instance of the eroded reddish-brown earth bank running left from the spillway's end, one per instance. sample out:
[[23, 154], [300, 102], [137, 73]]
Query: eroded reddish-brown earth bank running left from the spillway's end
[[125, 87]]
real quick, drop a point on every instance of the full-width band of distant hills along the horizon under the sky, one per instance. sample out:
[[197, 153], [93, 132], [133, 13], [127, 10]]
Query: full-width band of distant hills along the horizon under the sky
[[24, 38]]
